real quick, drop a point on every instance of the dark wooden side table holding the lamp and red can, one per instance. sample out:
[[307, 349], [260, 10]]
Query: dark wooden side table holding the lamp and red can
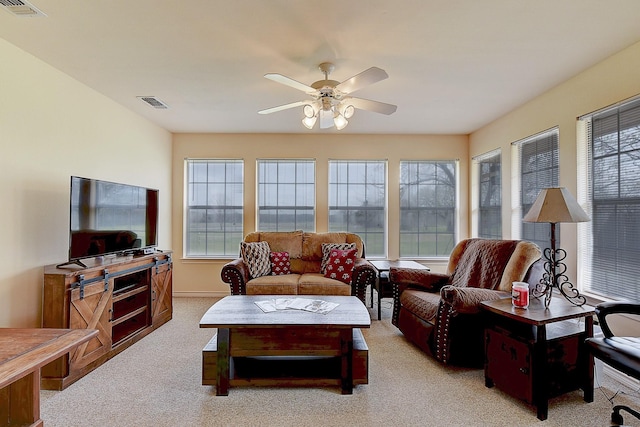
[[534, 354]]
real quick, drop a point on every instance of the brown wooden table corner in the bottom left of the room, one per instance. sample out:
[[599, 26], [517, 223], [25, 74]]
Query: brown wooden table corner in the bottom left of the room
[[22, 353]]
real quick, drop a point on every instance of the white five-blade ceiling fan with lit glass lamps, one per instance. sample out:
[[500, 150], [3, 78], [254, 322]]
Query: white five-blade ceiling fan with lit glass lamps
[[330, 101]]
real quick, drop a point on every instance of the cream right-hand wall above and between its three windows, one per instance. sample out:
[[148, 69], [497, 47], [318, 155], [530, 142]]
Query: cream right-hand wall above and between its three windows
[[612, 80]]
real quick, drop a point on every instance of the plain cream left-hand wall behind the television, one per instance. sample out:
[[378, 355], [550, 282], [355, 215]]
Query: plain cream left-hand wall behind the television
[[52, 127]]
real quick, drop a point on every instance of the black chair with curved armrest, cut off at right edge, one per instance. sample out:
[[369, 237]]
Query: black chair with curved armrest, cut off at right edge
[[621, 353]]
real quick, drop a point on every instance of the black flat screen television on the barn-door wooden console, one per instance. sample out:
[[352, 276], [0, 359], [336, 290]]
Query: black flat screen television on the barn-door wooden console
[[110, 218]]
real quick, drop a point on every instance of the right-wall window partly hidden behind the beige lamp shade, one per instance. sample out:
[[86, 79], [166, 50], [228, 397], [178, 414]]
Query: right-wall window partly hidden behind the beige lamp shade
[[538, 157]]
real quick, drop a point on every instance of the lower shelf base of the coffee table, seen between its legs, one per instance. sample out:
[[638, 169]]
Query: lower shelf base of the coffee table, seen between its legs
[[287, 371]]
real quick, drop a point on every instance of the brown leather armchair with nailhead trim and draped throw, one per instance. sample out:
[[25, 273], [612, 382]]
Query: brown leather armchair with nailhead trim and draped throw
[[440, 312]]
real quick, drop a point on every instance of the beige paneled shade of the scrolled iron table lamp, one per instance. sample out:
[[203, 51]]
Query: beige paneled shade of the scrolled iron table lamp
[[555, 205]]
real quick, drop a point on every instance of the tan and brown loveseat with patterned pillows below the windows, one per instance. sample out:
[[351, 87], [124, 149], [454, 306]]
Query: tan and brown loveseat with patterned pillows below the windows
[[304, 274]]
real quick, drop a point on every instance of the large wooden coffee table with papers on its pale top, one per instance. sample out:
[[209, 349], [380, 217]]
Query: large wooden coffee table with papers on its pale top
[[286, 347]]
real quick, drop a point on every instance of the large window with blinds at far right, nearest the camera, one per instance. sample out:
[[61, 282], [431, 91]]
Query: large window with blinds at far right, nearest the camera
[[609, 250]]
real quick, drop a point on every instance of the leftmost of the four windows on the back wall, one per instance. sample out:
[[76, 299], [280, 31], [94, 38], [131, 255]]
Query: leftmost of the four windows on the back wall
[[214, 215]]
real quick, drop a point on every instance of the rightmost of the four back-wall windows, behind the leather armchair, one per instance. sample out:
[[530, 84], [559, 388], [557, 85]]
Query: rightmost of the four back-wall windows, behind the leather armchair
[[428, 203]]
